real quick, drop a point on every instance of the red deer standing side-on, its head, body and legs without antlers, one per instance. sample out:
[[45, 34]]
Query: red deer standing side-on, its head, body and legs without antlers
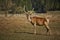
[[35, 20]]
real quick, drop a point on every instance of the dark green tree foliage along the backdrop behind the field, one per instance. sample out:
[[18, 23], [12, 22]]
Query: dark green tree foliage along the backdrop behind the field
[[48, 4]]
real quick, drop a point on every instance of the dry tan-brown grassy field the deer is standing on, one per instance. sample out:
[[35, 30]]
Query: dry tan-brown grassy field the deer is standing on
[[17, 27]]
